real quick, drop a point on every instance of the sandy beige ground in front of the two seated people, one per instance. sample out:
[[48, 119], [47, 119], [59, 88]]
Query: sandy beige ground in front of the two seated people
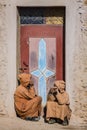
[[19, 124]]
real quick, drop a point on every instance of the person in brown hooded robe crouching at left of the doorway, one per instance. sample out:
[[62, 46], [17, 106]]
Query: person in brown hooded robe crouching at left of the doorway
[[27, 103]]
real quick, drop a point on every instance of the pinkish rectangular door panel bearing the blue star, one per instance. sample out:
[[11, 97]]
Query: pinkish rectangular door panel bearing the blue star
[[42, 59]]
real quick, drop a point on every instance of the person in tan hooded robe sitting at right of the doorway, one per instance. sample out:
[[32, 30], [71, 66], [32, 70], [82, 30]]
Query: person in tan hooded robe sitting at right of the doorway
[[57, 107]]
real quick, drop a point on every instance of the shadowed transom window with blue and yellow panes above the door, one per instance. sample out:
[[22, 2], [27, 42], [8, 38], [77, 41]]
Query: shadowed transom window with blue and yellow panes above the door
[[41, 15]]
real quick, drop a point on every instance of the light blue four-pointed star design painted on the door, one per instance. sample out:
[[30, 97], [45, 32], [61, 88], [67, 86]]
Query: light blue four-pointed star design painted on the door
[[42, 72]]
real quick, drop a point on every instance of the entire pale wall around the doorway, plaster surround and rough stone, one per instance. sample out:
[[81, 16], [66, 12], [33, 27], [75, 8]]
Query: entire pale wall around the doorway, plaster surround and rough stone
[[76, 54]]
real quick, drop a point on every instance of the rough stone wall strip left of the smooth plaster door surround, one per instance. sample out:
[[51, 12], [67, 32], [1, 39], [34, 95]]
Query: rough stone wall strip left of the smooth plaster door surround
[[3, 59]]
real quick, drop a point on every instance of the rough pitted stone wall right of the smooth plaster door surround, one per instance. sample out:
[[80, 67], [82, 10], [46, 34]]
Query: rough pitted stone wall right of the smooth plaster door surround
[[80, 65]]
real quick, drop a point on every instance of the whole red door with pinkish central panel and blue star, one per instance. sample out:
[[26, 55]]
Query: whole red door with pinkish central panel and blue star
[[41, 51]]
